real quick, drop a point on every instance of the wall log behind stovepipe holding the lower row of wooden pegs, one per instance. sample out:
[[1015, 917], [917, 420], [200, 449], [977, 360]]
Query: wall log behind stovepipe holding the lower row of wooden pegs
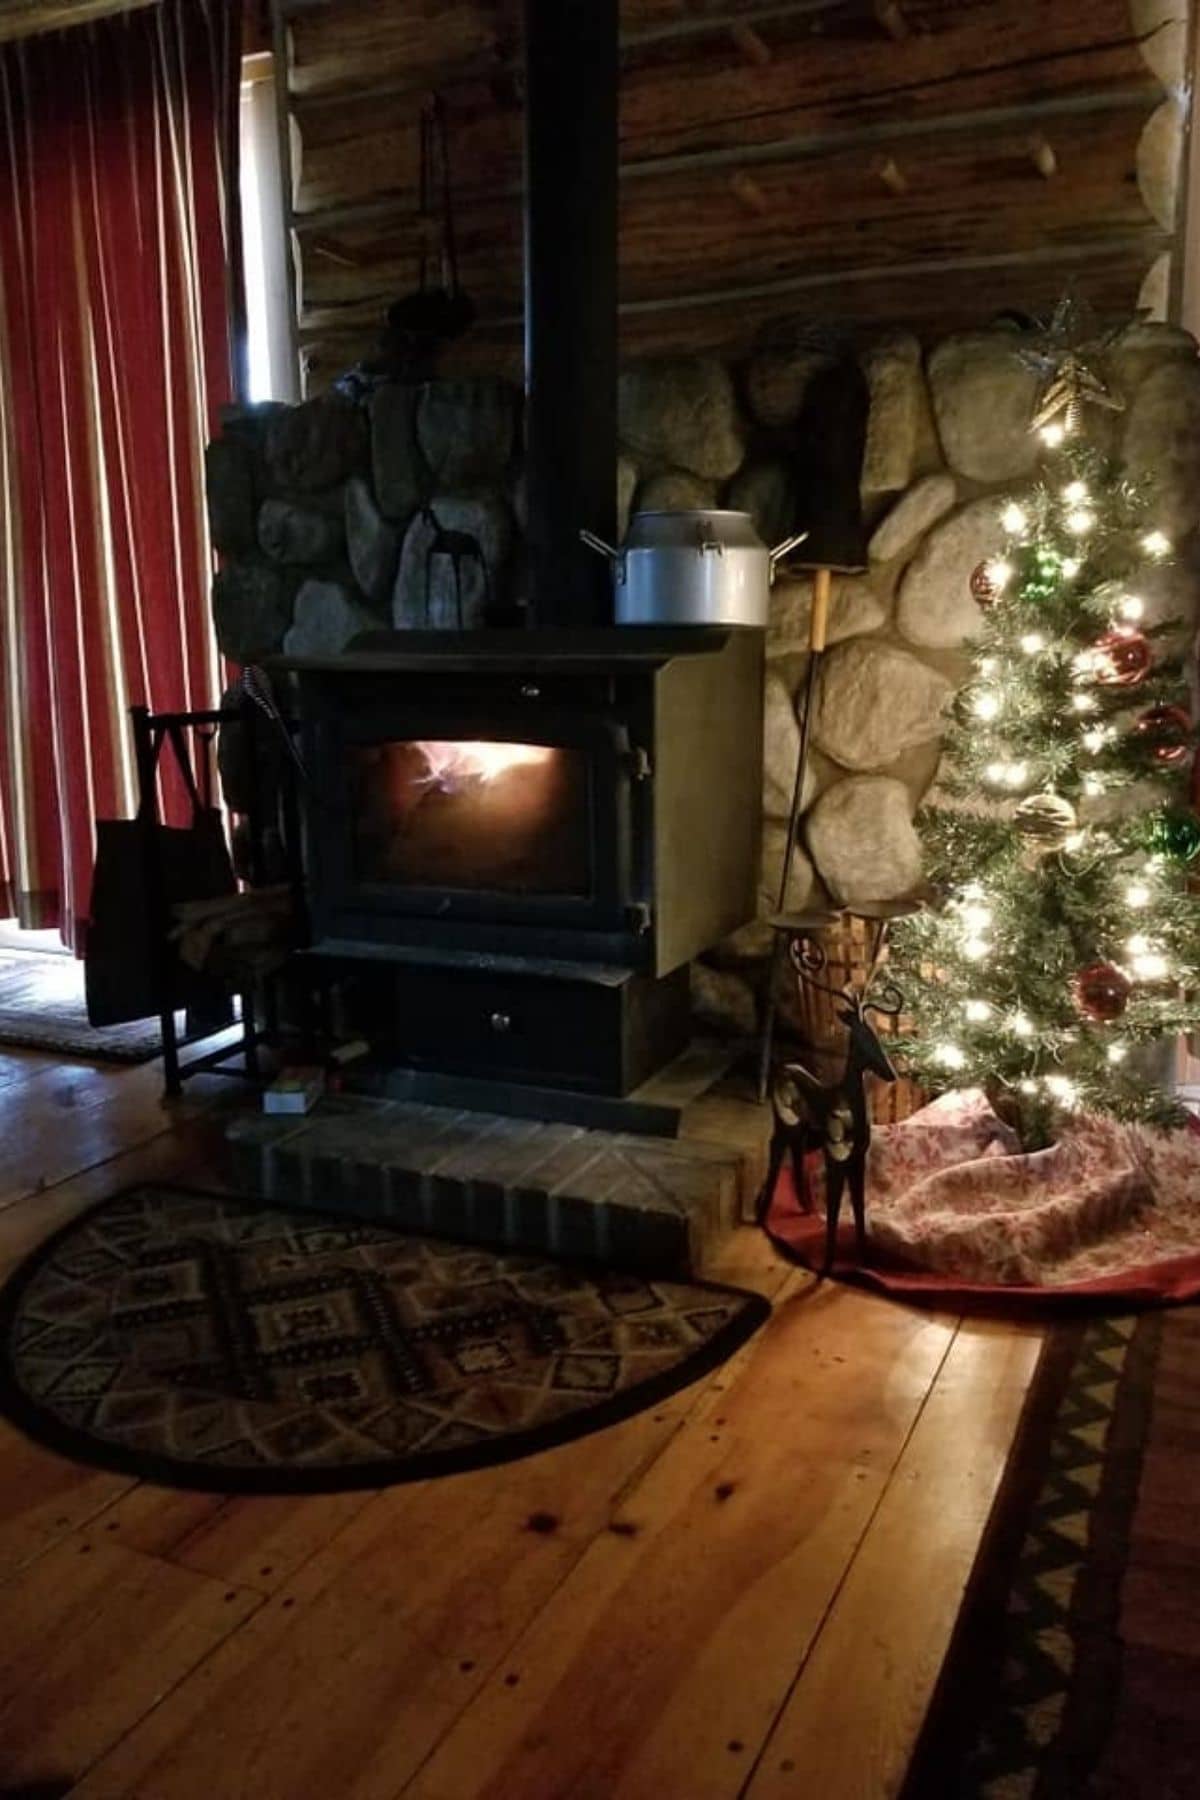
[[958, 199]]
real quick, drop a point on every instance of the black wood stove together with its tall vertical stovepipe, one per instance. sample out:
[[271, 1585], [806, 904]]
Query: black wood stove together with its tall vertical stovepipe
[[517, 841]]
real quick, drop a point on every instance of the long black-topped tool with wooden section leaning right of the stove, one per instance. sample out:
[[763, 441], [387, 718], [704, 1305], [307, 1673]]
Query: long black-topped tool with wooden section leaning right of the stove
[[832, 433]]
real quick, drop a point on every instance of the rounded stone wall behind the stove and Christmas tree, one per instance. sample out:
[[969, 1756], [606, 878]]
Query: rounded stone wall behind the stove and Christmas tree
[[327, 516]]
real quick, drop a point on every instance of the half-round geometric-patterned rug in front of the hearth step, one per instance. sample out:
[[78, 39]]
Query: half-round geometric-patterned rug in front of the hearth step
[[217, 1344]]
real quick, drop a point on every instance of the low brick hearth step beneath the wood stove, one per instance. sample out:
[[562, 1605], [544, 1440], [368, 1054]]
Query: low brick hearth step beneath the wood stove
[[649, 1205]]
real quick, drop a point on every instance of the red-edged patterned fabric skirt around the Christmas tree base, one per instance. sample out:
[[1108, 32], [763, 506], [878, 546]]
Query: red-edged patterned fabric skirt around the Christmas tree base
[[956, 1212]]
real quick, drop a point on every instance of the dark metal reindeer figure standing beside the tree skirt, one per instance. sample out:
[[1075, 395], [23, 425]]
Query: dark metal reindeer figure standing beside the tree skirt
[[832, 1117]]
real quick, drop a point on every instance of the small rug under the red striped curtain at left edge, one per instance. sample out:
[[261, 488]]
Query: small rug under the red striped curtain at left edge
[[42, 1007]]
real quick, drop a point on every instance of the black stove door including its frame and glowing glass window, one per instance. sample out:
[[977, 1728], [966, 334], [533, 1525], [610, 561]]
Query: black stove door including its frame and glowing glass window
[[436, 822]]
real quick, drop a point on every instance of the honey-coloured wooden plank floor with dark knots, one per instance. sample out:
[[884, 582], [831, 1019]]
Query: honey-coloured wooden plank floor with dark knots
[[746, 1592]]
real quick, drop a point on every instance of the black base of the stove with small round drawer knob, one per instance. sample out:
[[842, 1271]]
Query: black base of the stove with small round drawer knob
[[551, 1032]]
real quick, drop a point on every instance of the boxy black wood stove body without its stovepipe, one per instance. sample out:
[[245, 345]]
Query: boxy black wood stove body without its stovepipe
[[517, 841]]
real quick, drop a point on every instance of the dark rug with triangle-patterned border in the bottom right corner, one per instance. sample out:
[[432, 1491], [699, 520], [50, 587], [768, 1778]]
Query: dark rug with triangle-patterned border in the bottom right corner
[[1077, 1664]]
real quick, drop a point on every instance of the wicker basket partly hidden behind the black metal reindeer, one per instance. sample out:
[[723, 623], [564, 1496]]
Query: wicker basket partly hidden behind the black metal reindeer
[[810, 1018]]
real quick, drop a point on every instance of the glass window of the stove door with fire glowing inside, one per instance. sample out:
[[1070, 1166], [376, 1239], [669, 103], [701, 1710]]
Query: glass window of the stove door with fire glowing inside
[[463, 814]]
